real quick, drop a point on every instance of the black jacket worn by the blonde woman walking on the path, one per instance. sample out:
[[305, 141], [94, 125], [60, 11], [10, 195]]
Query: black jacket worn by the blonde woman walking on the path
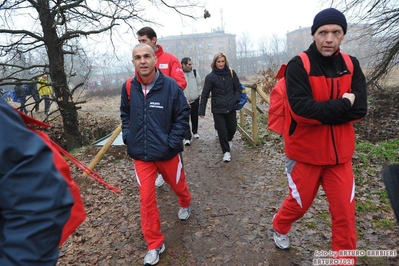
[[226, 93]]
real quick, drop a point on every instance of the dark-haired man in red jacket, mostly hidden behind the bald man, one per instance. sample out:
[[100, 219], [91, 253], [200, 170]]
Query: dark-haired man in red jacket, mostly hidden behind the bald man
[[166, 62]]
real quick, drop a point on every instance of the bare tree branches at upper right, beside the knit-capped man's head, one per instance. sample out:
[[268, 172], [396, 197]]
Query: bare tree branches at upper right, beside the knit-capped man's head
[[383, 18]]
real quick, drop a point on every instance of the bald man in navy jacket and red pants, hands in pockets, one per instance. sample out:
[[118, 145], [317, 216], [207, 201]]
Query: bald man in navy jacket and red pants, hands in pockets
[[154, 123]]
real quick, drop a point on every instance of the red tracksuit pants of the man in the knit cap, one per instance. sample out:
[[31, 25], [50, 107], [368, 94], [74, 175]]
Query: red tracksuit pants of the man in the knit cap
[[338, 183]]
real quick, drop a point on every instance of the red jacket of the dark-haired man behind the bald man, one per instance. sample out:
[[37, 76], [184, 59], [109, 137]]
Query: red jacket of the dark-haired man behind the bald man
[[170, 66]]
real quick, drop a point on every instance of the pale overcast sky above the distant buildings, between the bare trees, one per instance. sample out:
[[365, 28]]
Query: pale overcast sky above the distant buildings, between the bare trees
[[254, 17]]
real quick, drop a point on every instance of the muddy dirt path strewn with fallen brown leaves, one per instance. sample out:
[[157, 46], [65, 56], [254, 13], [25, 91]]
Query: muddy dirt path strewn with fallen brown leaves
[[232, 208]]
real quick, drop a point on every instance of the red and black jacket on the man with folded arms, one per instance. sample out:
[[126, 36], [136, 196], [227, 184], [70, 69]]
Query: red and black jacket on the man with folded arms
[[318, 126]]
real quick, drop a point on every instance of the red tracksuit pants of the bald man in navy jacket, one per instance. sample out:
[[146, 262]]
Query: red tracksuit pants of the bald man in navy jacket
[[146, 173]]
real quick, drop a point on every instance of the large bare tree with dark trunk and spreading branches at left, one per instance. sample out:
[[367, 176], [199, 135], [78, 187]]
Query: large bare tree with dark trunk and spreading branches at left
[[49, 31]]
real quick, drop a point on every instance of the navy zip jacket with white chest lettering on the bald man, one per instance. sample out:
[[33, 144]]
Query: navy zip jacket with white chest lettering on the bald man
[[154, 126]]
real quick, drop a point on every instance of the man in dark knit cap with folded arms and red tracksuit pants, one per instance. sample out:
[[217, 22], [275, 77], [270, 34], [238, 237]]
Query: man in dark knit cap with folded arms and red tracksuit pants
[[319, 134]]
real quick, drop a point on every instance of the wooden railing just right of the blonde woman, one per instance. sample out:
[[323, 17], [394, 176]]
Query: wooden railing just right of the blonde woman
[[251, 109]]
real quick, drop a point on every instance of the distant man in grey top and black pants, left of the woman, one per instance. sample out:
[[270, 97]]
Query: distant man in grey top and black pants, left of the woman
[[193, 93]]
